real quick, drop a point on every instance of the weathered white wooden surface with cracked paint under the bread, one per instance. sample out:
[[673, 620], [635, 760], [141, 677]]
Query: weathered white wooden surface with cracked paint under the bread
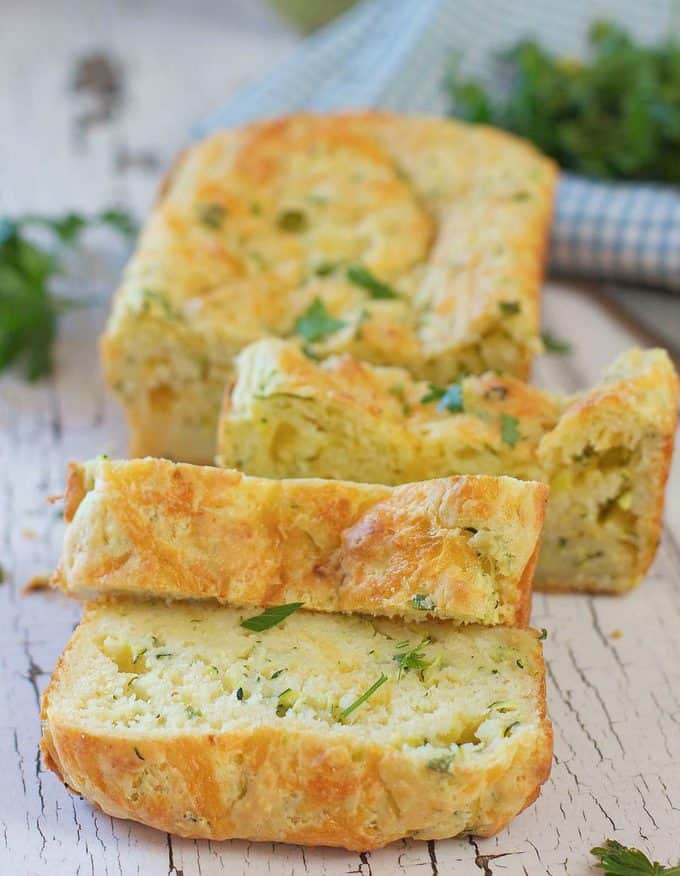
[[615, 701]]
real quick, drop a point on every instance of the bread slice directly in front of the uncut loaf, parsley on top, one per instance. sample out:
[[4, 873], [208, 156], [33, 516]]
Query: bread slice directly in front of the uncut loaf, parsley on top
[[605, 453]]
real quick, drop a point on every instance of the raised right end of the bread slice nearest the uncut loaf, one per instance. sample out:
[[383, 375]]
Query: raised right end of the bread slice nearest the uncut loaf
[[607, 461]]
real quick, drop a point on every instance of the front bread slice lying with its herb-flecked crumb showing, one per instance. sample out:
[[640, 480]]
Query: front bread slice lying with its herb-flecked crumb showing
[[178, 717]]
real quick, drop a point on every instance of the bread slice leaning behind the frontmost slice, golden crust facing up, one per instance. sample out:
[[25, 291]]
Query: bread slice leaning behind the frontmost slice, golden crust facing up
[[460, 548]]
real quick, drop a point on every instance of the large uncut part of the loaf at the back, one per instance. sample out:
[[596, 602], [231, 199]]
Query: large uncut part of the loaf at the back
[[416, 242]]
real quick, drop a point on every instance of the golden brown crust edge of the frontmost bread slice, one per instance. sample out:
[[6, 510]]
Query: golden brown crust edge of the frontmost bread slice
[[292, 785]]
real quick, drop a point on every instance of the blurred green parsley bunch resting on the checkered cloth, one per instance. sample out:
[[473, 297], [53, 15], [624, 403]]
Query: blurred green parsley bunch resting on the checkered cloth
[[615, 116]]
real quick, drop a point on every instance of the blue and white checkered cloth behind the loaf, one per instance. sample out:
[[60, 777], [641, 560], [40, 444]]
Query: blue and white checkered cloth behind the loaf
[[393, 54]]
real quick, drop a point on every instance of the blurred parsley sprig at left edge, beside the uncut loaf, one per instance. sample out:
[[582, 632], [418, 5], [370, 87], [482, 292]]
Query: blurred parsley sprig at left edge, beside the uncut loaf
[[28, 309]]
